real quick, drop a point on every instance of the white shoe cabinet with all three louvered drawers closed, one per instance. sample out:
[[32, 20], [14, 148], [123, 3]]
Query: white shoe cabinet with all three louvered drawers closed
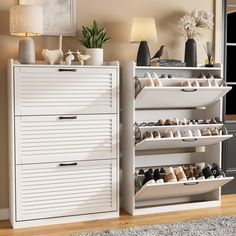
[[63, 143]]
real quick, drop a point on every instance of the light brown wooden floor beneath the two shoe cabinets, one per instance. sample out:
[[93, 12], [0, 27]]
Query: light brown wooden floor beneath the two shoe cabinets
[[228, 208]]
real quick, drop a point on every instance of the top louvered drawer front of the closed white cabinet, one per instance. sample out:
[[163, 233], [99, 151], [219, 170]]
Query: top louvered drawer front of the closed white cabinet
[[47, 91]]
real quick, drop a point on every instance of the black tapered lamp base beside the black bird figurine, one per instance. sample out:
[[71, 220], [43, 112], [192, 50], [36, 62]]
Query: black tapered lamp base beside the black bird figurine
[[143, 57]]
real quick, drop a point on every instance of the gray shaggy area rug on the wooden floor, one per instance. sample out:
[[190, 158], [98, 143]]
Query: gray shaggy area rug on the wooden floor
[[219, 226]]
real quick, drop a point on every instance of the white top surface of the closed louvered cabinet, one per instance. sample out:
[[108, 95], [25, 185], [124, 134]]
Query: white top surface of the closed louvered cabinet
[[112, 64]]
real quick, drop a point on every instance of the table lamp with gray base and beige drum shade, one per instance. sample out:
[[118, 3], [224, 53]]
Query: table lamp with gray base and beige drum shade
[[26, 21]]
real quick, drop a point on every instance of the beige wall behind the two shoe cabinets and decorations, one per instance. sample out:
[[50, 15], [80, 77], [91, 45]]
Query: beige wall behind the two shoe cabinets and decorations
[[117, 17]]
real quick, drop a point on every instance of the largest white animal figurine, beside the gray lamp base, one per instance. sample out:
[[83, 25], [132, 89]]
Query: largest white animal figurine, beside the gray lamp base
[[54, 56]]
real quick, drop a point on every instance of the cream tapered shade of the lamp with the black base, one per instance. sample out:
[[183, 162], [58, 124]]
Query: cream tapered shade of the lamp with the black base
[[143, 29]]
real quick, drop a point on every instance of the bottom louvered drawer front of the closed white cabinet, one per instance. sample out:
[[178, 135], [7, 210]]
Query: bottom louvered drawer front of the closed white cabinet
[[51, 190]]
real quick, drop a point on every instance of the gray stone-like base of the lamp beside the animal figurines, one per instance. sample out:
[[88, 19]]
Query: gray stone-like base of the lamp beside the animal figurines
[[26, 52]]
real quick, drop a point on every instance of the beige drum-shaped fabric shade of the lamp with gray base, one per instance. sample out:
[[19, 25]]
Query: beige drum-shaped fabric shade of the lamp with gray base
[[26, 20]]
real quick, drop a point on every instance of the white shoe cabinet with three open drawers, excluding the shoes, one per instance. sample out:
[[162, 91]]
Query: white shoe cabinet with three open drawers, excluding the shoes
[[168, 102]]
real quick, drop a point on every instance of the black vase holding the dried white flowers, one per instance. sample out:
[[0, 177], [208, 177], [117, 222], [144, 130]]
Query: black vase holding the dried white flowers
[[190, 57]]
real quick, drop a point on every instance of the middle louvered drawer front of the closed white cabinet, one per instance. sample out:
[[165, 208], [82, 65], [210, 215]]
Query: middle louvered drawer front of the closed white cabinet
[[42, 139]]
